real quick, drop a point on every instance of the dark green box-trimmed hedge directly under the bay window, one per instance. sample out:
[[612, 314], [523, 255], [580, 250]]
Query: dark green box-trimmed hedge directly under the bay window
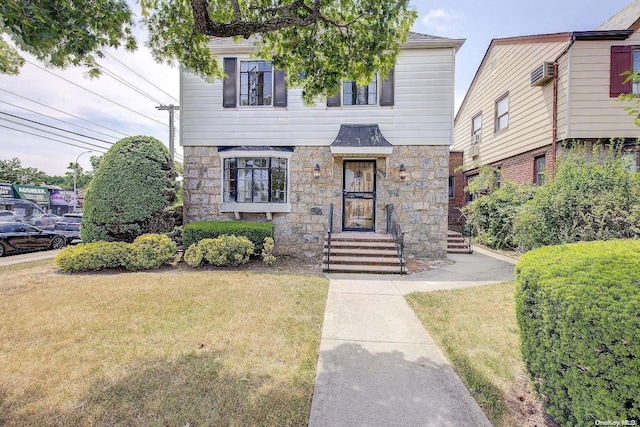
[[254, 231]]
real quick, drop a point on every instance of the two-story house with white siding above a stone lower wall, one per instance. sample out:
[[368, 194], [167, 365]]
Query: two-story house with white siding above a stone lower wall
[[254, 151]]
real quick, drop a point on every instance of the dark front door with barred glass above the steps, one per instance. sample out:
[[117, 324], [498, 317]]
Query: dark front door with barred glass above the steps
[[359, 195]]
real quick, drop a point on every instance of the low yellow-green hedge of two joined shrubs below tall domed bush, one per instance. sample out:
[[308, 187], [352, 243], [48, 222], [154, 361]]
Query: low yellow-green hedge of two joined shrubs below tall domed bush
[[146, 252]]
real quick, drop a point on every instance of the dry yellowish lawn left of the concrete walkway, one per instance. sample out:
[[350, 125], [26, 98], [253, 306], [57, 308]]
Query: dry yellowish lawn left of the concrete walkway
[[167, 347]]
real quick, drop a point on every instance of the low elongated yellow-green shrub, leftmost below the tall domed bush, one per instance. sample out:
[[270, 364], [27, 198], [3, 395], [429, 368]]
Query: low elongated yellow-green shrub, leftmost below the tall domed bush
[[92, 256]]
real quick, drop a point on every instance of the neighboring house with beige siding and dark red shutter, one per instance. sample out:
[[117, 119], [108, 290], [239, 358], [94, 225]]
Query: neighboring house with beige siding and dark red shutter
[[533, 95]]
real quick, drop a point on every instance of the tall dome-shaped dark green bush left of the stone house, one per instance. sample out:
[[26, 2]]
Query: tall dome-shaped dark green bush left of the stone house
[[130, 191]]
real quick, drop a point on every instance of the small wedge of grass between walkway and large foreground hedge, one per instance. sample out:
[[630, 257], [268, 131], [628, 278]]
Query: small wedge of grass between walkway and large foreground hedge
[[476, 329]]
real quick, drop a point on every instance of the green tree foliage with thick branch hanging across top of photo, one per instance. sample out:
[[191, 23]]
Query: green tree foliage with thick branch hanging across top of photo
[[318, 42]]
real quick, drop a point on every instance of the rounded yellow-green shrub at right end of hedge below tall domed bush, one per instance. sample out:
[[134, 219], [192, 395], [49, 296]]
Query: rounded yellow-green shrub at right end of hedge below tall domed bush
[[150, 251]]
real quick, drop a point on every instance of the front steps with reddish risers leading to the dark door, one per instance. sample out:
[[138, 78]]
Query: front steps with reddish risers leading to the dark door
[[356, 252]]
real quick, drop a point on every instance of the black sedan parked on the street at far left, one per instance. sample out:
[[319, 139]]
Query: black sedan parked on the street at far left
[[19, 237]]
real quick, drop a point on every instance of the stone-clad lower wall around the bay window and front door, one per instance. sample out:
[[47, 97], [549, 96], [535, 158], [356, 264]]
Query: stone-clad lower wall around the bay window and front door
[[421, 200]]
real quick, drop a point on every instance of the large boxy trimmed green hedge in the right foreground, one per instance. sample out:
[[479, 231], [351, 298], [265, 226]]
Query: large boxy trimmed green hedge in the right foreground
[[578, 309]]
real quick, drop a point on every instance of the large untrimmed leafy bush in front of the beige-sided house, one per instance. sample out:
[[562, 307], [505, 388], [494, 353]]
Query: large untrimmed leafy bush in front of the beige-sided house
[[593, 196]]
